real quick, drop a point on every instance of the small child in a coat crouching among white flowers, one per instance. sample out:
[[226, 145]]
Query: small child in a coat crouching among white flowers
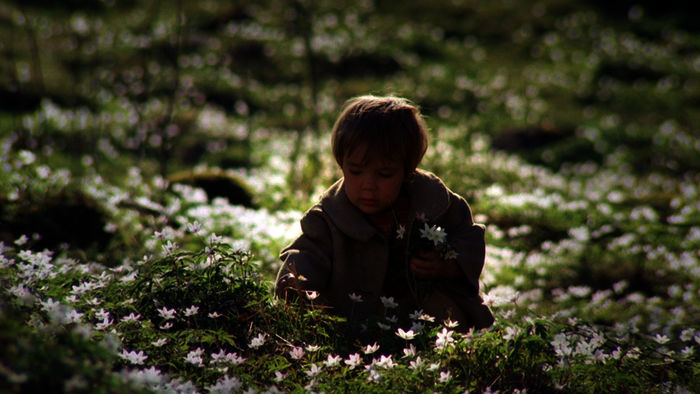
[[354, 250]]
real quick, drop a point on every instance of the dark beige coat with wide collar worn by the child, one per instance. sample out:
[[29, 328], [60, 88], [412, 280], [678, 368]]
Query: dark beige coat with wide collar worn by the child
[[340, 252]]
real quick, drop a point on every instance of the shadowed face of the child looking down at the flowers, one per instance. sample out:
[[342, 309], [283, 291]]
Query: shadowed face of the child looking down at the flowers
[[372, 185]]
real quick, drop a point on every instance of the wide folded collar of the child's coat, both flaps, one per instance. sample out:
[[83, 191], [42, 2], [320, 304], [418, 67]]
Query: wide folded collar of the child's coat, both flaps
[[427, 193]]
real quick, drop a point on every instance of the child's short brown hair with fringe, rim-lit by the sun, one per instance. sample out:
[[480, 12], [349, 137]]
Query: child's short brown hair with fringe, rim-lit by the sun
[[389, 127]]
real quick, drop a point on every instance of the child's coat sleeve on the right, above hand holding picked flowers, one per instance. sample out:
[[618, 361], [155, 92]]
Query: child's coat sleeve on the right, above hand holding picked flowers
[[467, 238]]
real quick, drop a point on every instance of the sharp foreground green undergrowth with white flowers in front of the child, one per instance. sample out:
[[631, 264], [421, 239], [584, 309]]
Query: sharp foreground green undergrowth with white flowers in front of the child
[[205, 320]]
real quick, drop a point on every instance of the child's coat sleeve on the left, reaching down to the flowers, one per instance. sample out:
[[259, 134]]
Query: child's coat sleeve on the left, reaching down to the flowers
[[306, 262]]
